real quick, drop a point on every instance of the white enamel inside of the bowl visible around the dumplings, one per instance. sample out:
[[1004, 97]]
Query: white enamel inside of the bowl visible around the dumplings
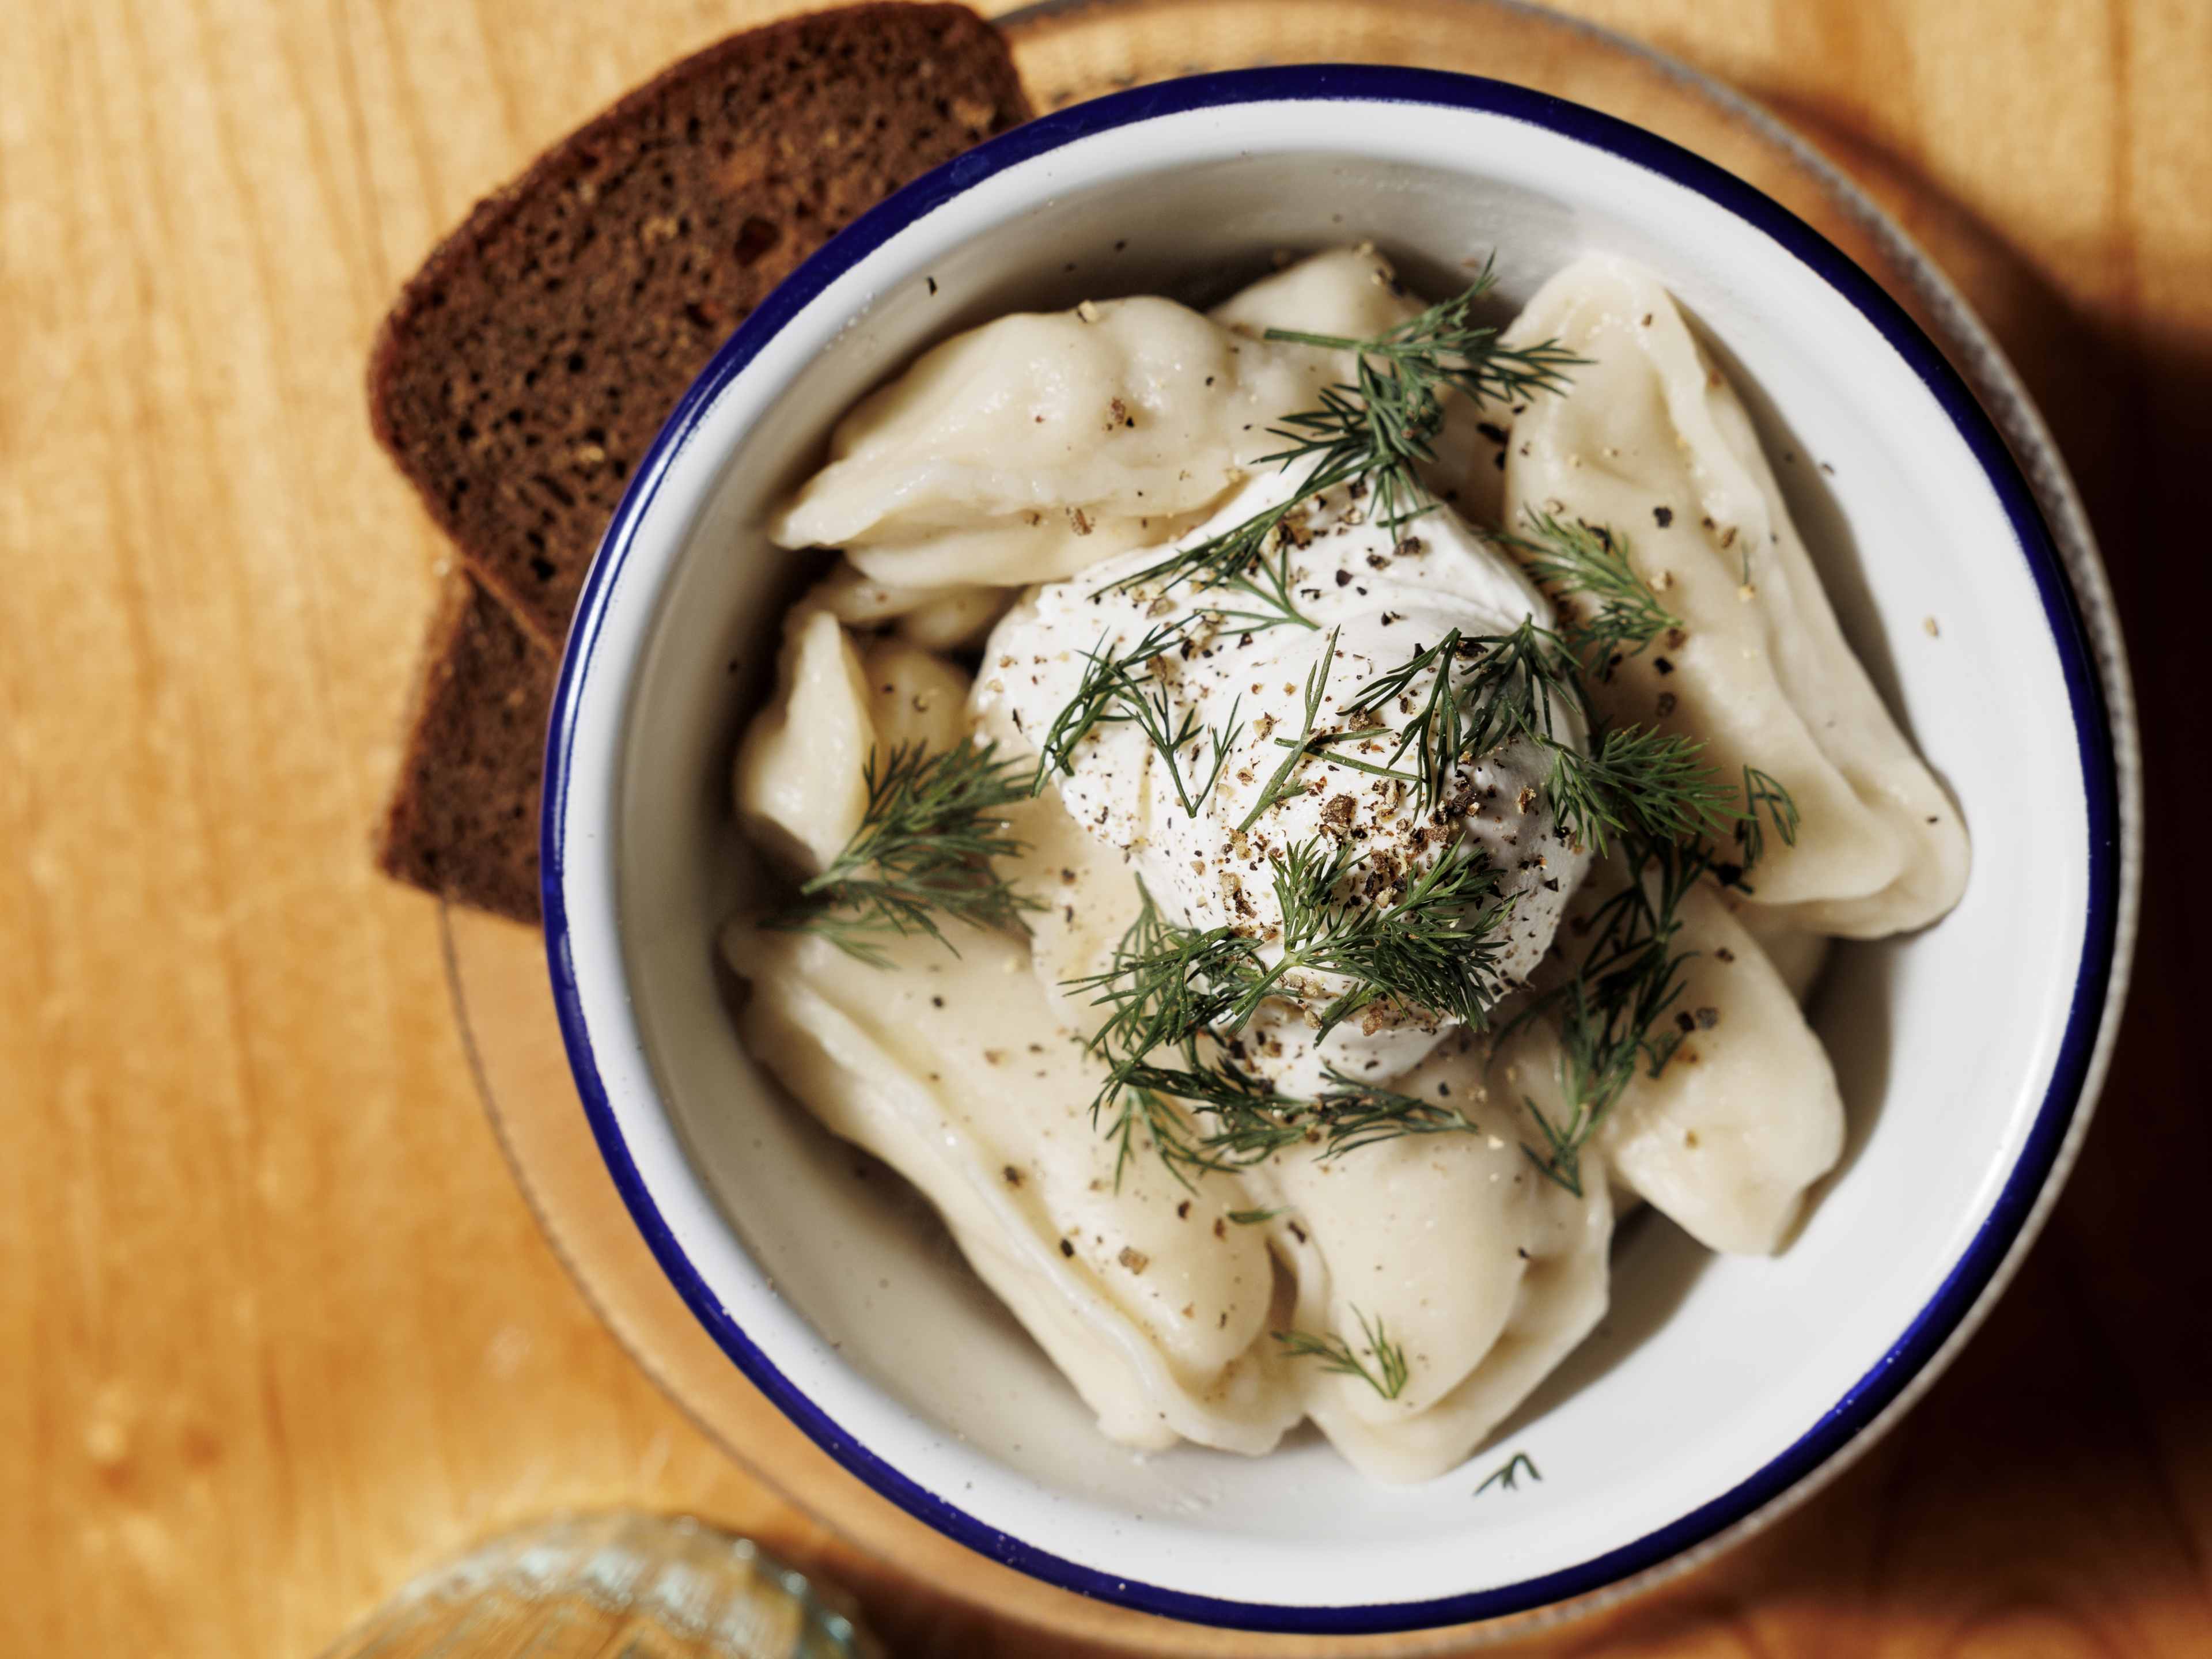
[[1707, 1368]]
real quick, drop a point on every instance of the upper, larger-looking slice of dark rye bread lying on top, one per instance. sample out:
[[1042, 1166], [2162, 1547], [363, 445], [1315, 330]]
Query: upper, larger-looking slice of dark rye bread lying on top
[[534, 357]]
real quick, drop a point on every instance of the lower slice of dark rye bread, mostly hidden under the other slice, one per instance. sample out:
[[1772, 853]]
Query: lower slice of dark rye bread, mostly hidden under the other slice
[[463, 820]]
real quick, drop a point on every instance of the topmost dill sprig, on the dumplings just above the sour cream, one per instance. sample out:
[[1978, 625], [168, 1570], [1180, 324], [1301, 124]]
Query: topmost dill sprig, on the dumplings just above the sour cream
[[1386, 421]]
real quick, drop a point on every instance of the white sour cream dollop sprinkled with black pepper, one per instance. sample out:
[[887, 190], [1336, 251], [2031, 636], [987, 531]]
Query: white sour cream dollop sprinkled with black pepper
[[1377, 596]]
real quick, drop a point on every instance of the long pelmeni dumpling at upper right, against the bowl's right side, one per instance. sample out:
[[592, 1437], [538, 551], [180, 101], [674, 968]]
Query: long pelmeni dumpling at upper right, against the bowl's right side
[[1651, 441]]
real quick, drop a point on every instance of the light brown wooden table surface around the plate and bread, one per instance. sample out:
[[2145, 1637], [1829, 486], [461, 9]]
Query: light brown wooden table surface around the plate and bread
[[275, 1326]]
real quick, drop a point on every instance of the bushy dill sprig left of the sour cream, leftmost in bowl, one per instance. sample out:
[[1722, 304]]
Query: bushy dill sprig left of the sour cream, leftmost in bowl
[[924, 848]]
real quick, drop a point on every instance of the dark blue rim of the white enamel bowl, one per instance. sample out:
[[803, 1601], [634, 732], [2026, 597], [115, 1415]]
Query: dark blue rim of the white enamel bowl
[[1976, 1266]]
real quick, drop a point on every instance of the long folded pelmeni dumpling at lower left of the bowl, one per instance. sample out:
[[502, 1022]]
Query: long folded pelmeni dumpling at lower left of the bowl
[[954, 1072]]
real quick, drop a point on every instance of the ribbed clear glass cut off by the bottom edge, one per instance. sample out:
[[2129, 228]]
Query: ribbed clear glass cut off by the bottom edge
[[612, 1587]]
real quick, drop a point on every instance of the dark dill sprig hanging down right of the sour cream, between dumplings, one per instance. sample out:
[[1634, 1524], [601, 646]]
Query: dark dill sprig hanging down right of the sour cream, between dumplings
[[1611, 1005]]
